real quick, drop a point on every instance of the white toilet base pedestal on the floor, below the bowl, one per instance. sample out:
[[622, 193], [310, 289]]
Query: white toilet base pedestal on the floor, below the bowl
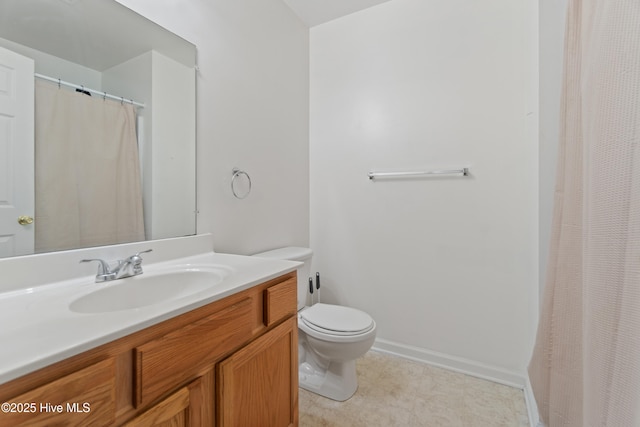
[[338, 382]]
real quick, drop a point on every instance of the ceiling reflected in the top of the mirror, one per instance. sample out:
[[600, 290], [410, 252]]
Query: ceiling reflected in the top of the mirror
[[83, 32]]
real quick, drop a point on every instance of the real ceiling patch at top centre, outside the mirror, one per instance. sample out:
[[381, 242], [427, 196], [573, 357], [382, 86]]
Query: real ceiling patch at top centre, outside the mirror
[[315, 12]]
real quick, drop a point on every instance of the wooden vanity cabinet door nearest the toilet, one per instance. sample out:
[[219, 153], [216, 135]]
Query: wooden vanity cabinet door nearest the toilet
[[258, 385]]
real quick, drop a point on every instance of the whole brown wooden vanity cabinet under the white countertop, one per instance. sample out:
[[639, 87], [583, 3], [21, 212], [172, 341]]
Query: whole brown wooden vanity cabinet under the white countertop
[[230, 363]]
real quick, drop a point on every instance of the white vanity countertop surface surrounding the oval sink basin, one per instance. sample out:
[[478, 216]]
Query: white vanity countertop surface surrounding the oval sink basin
[[37, 327]]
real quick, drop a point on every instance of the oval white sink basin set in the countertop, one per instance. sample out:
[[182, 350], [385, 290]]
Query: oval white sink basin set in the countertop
[[148, 289]]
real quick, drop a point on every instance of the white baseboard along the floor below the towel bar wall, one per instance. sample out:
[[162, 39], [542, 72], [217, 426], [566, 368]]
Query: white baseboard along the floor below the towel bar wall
[[468, 367]]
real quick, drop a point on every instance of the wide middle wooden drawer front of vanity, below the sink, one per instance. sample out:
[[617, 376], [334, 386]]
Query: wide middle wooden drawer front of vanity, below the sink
[[165, 363]]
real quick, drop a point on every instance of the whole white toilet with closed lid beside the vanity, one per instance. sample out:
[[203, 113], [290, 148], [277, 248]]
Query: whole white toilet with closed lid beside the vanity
[[330, 337]]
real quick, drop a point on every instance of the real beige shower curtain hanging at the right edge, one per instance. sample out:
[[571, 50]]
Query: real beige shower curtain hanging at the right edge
[[585, 369]]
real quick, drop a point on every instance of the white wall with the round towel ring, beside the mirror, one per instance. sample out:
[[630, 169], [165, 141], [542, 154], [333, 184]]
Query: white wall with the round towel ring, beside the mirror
[[252, 113]]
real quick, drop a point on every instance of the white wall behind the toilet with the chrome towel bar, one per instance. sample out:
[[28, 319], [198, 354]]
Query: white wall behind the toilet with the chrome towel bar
[[447, 267]]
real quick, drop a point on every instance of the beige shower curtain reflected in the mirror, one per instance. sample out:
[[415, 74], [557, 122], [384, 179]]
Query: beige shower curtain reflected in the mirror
[[87, 171]]
